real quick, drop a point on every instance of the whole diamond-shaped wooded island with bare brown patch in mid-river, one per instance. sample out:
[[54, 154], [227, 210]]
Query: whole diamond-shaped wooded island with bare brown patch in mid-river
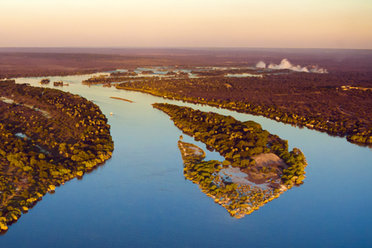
[[257, 168]]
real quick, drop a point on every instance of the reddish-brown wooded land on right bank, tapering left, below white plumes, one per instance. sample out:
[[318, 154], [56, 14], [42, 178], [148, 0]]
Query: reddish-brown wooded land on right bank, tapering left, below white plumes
[[325, 102]]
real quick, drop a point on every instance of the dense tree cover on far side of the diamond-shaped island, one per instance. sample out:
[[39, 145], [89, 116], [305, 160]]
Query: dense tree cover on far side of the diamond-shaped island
[[238, 142]]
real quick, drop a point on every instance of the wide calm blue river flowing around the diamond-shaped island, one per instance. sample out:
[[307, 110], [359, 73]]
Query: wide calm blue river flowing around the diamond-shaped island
[[140, 198]]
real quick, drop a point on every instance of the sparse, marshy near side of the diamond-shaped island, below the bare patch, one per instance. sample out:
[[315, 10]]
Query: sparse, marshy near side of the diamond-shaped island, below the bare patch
[[238, 198]]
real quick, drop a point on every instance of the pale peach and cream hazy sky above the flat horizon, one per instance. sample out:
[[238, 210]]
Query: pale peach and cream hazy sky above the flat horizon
[[186, 23]]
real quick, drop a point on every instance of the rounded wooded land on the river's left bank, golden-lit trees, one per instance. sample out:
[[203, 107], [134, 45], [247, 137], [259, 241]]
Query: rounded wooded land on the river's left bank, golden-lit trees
[[47, 138]]
